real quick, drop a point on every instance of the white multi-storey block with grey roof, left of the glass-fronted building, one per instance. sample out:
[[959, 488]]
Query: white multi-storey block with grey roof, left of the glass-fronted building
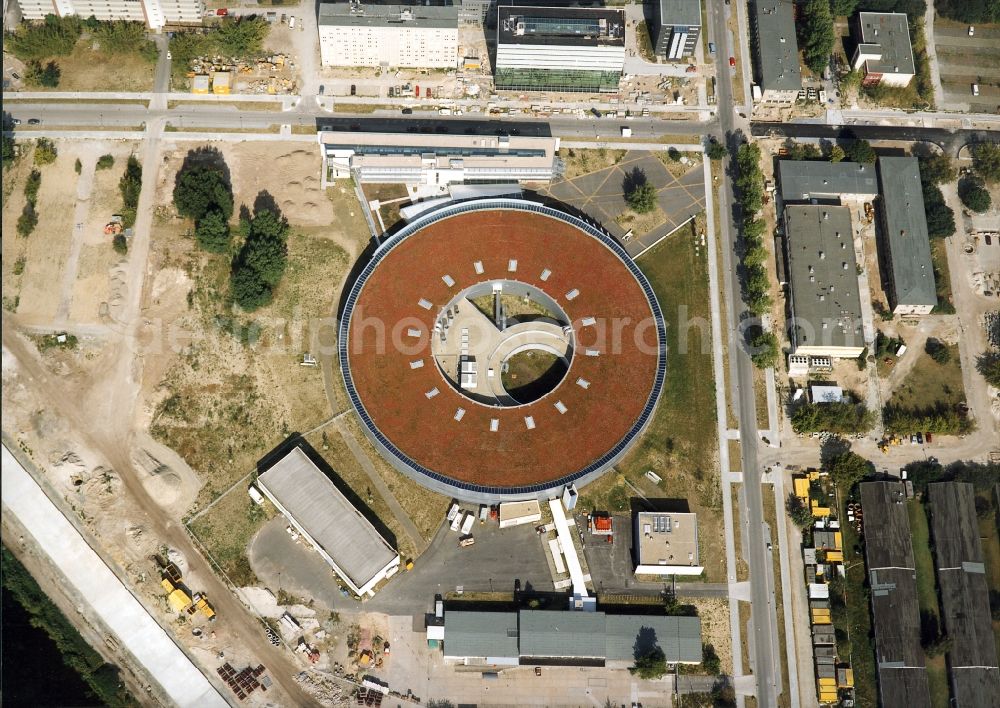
[[400, 34]]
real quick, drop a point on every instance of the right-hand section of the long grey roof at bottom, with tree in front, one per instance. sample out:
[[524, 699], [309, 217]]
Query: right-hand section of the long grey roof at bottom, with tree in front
[[678, 637]]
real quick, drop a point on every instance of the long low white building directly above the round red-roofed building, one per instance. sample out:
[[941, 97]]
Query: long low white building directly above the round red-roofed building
[[436, 159]]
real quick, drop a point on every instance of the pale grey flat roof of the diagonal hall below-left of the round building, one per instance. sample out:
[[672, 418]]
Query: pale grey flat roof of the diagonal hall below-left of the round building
[[322, 510]]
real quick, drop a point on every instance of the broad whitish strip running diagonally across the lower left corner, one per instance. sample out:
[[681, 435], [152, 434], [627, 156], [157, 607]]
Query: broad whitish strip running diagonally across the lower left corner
[[121, 612]]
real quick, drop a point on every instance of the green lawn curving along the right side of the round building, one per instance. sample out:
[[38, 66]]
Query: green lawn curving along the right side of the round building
[[680, 444]]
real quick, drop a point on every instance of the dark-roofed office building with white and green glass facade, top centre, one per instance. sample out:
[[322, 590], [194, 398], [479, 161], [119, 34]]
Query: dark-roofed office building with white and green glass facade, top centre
[[564, 49]]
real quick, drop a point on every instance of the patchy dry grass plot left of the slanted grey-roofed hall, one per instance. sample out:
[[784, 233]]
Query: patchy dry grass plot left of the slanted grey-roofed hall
[[227, 528]]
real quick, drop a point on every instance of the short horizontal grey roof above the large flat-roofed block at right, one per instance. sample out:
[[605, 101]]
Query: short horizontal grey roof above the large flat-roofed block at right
[[802, 180]]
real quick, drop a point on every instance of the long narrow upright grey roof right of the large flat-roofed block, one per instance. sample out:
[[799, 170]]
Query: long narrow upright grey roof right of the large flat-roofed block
[[909, 245]]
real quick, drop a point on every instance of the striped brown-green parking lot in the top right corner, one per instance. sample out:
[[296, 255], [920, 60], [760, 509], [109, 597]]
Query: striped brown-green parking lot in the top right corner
[[964, 61]]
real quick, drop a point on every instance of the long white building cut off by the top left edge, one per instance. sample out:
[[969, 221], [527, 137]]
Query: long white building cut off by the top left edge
[[156, 14]]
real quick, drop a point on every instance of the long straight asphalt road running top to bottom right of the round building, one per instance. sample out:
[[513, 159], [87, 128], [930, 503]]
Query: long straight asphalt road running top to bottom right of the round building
[[764, 652]]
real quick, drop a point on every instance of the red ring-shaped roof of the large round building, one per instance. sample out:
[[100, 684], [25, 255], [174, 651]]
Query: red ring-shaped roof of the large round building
[[394, 394]]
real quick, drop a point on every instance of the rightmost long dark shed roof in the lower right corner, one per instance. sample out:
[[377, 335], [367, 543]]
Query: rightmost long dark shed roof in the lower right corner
[[965, 605]]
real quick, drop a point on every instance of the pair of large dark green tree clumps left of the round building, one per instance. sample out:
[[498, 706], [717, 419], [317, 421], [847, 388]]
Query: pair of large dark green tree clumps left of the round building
[[203, 193]]
